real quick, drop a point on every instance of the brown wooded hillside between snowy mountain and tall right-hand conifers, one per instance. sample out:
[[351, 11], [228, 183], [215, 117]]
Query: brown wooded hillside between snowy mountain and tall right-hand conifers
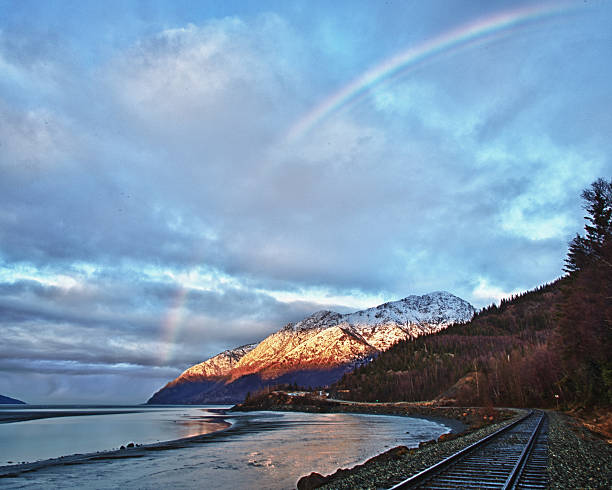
[[503, 355]]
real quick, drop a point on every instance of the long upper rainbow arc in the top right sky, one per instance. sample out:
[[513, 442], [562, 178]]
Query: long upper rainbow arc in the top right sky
[[479, 30]]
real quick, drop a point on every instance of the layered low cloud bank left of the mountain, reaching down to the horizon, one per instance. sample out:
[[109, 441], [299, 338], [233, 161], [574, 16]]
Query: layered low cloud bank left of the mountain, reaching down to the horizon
[[106, 328]]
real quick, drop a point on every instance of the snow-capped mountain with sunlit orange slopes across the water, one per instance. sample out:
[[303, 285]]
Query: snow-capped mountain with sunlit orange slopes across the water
[[315, 351]]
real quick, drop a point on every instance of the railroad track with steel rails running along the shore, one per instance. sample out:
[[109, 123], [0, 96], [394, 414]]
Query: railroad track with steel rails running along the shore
[[513, 457]]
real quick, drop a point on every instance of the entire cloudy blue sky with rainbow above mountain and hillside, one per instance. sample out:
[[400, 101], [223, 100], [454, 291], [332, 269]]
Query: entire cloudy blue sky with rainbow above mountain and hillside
[[179, 178]]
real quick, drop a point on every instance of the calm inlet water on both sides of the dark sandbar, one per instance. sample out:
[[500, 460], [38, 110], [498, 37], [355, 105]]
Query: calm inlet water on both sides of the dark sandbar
[[258, 450]]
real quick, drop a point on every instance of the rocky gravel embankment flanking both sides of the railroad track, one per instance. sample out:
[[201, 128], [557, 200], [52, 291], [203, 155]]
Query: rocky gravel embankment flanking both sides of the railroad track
[[578, 458]]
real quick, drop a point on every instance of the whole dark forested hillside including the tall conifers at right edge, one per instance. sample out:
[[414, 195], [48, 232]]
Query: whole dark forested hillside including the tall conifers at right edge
[[548, 347]]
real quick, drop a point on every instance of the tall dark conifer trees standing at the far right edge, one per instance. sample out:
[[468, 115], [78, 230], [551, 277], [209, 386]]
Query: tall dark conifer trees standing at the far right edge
[[585, 320]]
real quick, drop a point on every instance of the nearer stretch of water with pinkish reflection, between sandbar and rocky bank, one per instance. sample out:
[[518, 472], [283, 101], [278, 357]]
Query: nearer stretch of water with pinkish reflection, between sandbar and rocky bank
[[259, 450]]
